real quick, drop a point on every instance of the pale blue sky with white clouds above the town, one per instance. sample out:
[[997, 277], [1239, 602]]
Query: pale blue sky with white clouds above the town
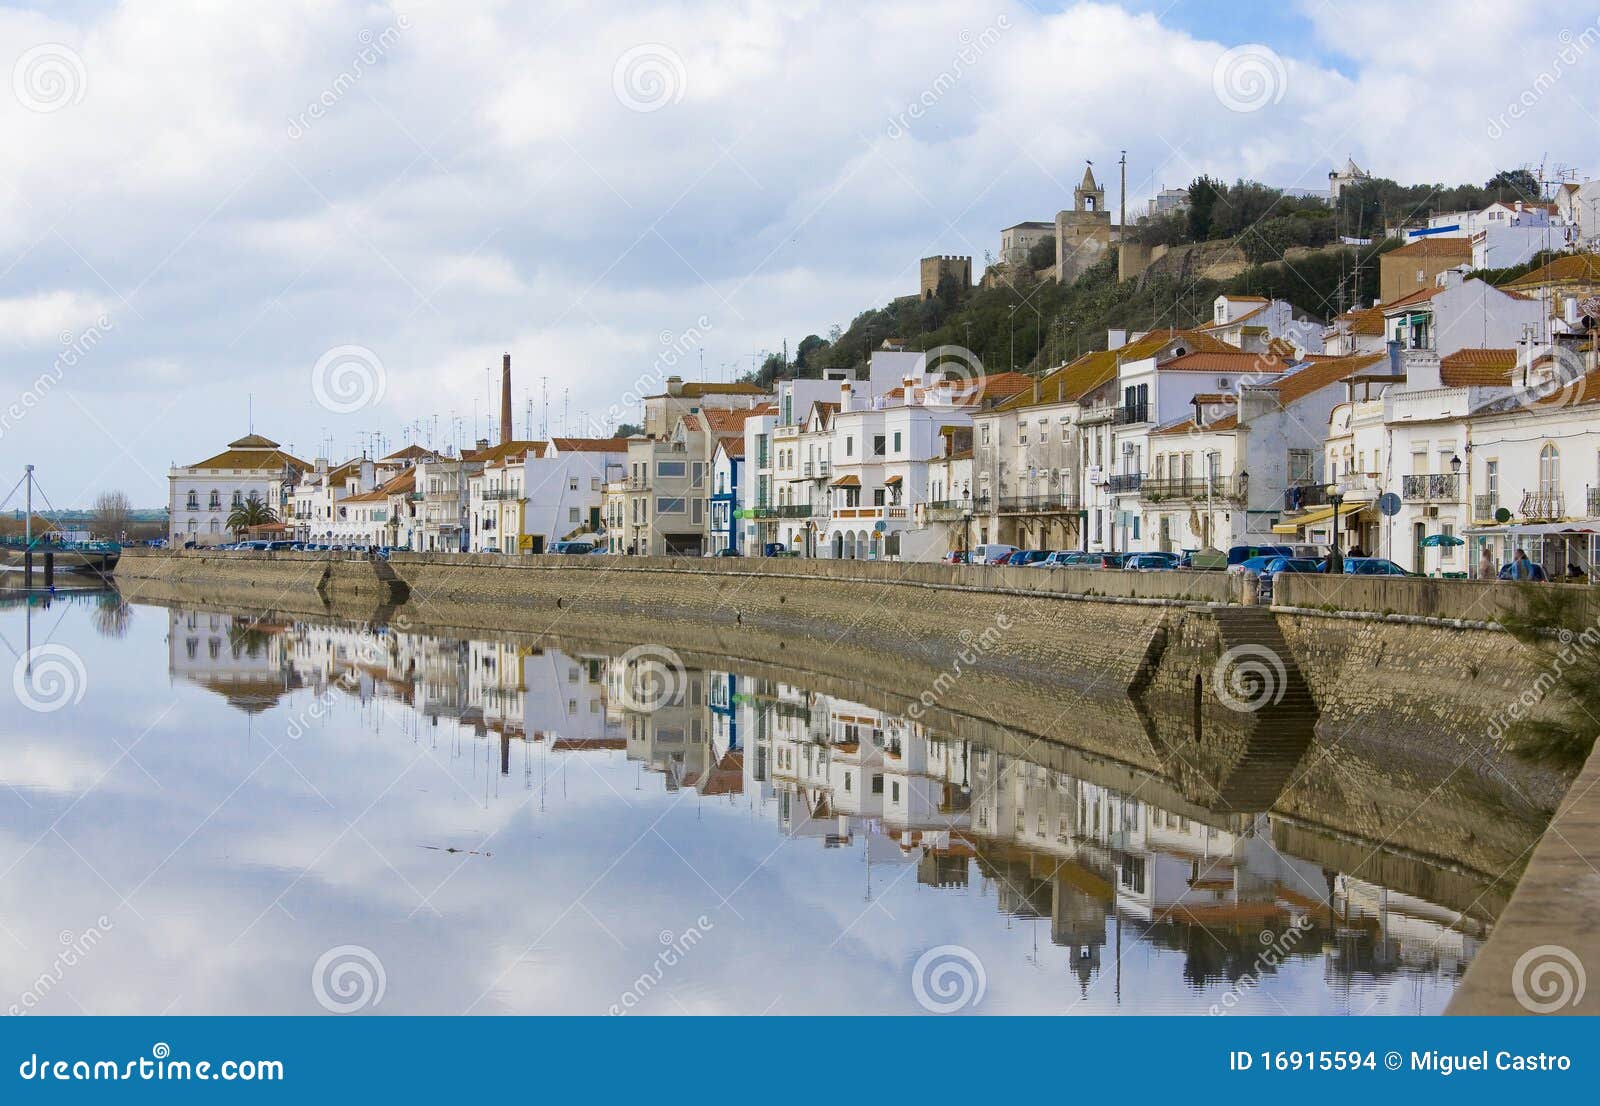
[[340, 215]]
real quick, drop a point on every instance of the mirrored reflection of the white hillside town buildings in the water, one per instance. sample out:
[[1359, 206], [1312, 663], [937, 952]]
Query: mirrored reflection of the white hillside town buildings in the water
[[1084, 860]]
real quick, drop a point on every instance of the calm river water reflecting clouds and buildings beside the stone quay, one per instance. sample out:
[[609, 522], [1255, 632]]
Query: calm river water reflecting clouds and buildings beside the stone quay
[[286, 817]]
